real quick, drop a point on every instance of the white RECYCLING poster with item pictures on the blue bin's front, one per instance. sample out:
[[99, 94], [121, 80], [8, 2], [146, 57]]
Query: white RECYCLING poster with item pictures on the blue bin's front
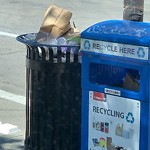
[[114, 122]]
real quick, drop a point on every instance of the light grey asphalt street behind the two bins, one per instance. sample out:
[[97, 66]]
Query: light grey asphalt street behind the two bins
[[25, 16]]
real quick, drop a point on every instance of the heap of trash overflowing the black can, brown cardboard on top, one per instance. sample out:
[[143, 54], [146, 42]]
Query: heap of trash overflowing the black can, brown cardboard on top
[[56, 30]]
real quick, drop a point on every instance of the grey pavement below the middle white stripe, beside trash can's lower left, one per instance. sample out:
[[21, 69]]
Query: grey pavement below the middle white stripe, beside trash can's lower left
[[12, 113]]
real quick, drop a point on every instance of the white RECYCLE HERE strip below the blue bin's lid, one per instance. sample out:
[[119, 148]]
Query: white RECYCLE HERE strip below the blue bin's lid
[[115, 49]]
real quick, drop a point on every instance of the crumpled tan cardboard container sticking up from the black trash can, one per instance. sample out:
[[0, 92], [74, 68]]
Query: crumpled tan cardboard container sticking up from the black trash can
[[55, 24]]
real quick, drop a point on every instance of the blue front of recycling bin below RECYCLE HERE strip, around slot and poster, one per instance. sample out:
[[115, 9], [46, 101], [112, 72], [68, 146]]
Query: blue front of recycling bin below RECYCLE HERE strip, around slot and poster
[[116, 64]]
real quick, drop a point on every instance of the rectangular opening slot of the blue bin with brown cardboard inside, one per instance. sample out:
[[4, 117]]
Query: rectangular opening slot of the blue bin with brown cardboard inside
[[116, 76]]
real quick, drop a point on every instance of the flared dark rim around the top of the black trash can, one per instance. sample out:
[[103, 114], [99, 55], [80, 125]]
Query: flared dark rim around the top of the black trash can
[[24, 38]]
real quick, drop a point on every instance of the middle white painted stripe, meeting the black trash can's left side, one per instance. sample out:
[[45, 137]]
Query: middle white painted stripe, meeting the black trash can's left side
[[13, 97]]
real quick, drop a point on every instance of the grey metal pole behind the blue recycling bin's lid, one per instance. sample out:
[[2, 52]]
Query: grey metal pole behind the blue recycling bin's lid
[[133, 10]]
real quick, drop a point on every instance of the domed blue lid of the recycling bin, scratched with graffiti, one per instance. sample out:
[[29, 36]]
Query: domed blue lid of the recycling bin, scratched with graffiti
[[119, 31]]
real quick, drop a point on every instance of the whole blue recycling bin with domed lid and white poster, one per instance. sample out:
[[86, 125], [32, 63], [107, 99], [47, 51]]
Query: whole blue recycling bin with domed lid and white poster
[[116, 86]]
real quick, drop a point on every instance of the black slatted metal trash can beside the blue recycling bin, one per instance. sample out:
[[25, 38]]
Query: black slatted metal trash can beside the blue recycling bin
[[53, 96]]
